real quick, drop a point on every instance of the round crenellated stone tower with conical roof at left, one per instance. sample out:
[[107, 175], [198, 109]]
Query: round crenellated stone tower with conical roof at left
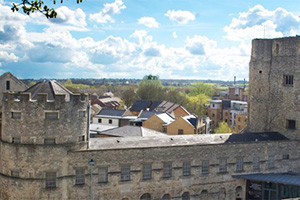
[[39, 126]]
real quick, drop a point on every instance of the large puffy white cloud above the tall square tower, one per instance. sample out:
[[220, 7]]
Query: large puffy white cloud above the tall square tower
[[259, 22]]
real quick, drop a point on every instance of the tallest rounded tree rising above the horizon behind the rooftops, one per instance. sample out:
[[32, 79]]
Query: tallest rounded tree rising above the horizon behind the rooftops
[[150, 88]]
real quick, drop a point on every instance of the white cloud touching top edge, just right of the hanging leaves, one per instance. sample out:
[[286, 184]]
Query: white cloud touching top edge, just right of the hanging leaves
[[109, 9]]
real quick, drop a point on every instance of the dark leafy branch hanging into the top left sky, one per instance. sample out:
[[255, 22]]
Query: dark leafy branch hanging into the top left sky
[[29, 7]]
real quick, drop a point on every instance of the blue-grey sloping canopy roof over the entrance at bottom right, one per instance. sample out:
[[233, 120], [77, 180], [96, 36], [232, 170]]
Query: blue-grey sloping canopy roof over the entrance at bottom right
[[283, 178]]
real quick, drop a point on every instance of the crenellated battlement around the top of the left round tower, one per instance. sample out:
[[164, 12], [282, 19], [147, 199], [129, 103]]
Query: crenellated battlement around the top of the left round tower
[[43, 97]]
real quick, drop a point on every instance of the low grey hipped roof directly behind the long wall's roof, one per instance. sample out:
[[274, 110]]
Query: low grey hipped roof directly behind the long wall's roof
[[130, 131]]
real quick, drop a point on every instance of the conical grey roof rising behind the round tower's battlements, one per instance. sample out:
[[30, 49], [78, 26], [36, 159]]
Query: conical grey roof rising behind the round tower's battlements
[[49, 87]]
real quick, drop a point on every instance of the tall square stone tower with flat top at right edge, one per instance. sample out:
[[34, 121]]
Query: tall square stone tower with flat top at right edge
[[274, 90]]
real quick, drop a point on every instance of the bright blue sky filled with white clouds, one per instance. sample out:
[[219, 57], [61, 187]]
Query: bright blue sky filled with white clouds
[[174, 39]]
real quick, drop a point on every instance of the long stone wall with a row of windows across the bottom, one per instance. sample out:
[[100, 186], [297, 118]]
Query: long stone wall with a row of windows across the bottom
[[33, 161]]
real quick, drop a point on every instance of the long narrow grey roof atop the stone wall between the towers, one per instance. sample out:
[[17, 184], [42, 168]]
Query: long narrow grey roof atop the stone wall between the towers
[[168, 141]]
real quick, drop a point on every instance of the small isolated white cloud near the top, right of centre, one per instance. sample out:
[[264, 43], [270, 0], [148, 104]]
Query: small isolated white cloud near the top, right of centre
[[180, 16]]
